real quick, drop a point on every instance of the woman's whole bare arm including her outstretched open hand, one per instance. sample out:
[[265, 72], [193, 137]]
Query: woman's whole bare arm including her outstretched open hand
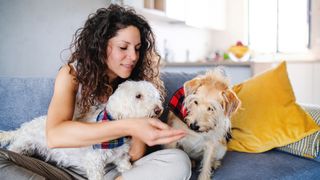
[[61, 131]]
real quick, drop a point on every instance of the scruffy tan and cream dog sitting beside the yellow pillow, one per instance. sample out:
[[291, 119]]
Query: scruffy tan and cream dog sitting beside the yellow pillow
[[210, 103]]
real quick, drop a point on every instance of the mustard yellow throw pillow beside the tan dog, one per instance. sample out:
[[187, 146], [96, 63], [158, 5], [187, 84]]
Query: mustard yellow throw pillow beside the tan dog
[[269, 116]]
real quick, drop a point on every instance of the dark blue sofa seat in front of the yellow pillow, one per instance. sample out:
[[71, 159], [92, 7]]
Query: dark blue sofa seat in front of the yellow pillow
[[268, 165]]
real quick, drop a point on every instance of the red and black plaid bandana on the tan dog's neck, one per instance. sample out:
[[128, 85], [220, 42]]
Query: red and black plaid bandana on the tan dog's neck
[[176, 104]]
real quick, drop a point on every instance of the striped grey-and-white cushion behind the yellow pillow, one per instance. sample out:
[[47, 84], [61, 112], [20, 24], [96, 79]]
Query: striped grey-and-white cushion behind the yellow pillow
[[309, 146]]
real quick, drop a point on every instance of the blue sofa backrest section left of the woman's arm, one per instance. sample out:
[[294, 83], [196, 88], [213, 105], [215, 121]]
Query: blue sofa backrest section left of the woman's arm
[[23, 99]]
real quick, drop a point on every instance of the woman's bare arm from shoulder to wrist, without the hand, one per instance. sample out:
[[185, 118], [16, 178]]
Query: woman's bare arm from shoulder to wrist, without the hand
[[61, 131]]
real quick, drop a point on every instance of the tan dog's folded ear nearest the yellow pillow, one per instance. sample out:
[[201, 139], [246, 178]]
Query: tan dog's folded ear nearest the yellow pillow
[[231, 102]]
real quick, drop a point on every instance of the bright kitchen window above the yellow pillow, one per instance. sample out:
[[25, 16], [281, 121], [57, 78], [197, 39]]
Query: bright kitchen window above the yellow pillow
[[279, 26]]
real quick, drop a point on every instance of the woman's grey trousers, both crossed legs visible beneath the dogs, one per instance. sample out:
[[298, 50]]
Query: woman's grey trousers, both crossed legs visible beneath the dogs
[[160, 165]]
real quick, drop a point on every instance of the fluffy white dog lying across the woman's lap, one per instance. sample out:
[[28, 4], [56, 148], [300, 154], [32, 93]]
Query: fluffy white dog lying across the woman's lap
[[132, 99]]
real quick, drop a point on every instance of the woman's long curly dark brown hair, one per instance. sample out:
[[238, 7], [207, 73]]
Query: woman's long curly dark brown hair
[[89, 53]]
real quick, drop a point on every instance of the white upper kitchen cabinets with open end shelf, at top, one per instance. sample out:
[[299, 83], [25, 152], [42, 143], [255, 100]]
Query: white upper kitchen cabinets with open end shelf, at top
[[209, 14]]
